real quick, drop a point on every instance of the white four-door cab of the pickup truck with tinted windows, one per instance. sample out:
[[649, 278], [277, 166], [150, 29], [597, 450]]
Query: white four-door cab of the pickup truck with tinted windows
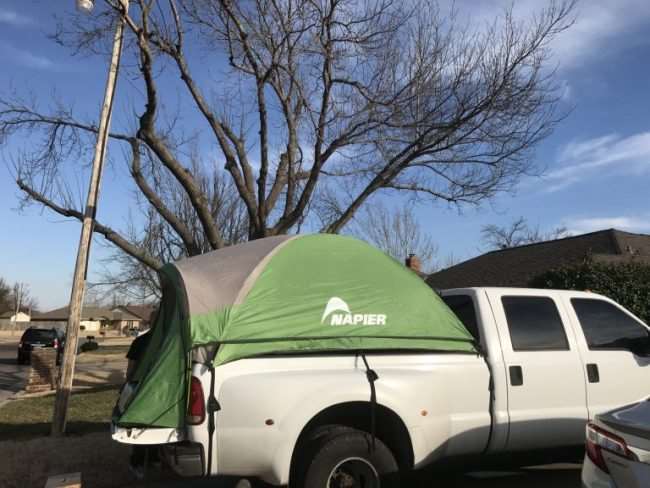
[[557, 358]]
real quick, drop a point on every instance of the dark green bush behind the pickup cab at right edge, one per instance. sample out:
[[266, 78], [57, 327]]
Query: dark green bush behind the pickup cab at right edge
[[626, 283]]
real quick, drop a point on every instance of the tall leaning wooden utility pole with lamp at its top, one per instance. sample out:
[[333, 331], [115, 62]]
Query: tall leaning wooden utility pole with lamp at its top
[[81, 267]]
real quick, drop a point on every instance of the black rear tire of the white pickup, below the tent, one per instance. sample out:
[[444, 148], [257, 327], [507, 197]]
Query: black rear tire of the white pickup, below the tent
[[345, 458]]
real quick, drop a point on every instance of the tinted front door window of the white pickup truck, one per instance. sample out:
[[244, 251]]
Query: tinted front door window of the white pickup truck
[[606, 326]]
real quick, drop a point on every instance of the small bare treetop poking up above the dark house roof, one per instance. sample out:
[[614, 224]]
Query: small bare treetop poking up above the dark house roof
[[518, 233]]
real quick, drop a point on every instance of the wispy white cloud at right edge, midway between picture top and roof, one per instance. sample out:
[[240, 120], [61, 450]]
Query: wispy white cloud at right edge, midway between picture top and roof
[[579, 160]]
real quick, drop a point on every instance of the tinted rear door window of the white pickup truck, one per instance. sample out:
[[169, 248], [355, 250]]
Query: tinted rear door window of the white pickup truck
[[534, 324]]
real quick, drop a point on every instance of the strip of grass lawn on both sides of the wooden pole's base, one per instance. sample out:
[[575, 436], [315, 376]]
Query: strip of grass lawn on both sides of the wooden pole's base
[[89, 411]]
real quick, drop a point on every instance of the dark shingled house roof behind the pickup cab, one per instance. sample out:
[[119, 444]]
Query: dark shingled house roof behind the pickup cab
[[516, 266]]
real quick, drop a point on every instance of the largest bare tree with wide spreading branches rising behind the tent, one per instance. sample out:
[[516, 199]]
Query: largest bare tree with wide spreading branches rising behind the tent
[[323, 105]]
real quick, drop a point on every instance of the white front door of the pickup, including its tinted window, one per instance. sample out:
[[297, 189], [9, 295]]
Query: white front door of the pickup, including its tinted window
[[607, 334]]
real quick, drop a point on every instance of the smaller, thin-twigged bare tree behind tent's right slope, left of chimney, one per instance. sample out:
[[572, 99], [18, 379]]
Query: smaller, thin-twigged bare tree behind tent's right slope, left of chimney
[[397, 232]]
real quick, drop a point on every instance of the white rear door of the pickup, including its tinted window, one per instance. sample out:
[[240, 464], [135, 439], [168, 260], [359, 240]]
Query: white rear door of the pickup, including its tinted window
[[547, 402]]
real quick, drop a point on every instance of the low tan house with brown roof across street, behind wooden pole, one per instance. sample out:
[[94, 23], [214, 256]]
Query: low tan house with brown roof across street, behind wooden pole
[[93, 319]]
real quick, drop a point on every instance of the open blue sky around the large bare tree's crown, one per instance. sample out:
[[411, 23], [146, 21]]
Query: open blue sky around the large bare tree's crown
[[598, 159]]
